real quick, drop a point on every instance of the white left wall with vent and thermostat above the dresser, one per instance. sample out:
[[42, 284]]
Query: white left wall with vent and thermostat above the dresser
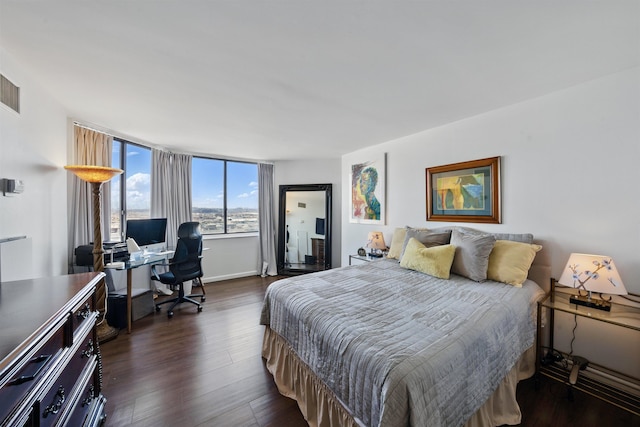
[[33, 148]]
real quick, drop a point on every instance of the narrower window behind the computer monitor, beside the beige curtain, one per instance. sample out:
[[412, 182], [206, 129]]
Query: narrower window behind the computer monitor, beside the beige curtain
[[134, 184]]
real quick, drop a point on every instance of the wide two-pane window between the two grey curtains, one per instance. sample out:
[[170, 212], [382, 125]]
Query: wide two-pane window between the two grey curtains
[[224, 195]]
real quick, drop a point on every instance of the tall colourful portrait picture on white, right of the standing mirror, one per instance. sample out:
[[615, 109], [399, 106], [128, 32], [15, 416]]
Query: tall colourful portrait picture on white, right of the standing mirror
[[368, 183]]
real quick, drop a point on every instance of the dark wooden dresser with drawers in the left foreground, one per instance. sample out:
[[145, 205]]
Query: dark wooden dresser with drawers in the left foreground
[[50, 366]]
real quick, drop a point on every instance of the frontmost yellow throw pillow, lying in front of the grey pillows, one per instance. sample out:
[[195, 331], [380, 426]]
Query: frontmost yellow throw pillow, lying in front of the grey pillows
[[435, 261]]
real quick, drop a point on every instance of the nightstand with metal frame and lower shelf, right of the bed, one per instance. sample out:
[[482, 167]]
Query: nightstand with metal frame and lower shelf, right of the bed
[[556, 365]]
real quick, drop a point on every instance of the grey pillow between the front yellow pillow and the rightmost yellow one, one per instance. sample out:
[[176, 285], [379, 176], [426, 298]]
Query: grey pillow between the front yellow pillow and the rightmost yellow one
[[472, 254]]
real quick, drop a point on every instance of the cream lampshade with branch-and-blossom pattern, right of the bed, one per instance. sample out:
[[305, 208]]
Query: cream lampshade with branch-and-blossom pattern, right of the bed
[[593, 273]]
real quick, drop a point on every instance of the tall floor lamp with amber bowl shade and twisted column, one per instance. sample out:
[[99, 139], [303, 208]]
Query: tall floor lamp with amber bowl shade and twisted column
[[96, 175]]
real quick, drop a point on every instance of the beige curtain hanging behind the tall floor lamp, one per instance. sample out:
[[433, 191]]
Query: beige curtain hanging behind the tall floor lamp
[[90, 148]]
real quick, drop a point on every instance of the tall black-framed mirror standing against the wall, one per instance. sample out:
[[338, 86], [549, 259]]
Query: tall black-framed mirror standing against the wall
[[304, 228]]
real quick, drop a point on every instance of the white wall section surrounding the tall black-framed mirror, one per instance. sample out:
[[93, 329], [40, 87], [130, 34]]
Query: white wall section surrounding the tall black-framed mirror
[[321, 171]]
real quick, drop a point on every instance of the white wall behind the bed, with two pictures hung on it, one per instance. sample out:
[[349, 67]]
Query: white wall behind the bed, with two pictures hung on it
[[569, 175]]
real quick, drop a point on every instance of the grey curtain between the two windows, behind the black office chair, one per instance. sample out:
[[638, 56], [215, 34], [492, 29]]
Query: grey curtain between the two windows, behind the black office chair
[[171, 190]]
